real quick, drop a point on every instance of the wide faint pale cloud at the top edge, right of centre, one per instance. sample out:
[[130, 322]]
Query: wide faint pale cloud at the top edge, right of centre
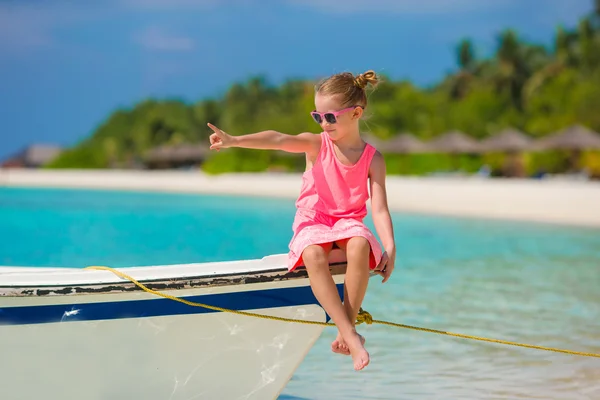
[[401, 6]]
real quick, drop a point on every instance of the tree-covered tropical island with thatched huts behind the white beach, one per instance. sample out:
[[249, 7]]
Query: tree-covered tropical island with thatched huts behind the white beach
[[525, 110]]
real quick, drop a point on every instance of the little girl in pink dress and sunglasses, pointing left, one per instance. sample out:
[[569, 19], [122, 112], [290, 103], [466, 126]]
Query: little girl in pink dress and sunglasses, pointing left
[[340, 170]]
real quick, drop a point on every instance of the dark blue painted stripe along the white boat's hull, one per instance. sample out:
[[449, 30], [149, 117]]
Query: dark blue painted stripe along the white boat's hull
[[159, 306]]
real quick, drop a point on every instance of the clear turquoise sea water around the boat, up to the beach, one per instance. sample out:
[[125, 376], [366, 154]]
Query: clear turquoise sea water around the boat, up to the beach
[[533, 283]]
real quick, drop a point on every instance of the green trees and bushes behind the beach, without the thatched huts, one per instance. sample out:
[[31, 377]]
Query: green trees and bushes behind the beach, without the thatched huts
[[526, 86]]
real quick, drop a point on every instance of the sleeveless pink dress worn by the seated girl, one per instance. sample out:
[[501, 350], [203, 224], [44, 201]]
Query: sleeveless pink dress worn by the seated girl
[[332, 204]]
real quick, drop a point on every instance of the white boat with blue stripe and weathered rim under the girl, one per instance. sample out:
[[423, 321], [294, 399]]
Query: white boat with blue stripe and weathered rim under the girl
[[86, 334]]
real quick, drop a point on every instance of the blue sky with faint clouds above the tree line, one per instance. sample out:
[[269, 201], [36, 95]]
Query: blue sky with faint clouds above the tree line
[[66, 65]]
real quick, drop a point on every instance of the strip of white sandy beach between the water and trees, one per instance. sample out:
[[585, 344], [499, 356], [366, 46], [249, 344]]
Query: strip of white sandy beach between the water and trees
[[567, 202]]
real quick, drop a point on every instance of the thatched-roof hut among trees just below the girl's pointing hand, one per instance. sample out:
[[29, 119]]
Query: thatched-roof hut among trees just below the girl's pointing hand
[[176, 156]]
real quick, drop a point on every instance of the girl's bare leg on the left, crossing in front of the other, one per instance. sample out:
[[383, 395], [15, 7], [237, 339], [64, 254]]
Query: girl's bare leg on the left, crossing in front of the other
[[316, 261]]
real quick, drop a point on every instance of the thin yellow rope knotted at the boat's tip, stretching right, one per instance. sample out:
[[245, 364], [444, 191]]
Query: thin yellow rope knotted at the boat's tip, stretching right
[[363, 317]]
